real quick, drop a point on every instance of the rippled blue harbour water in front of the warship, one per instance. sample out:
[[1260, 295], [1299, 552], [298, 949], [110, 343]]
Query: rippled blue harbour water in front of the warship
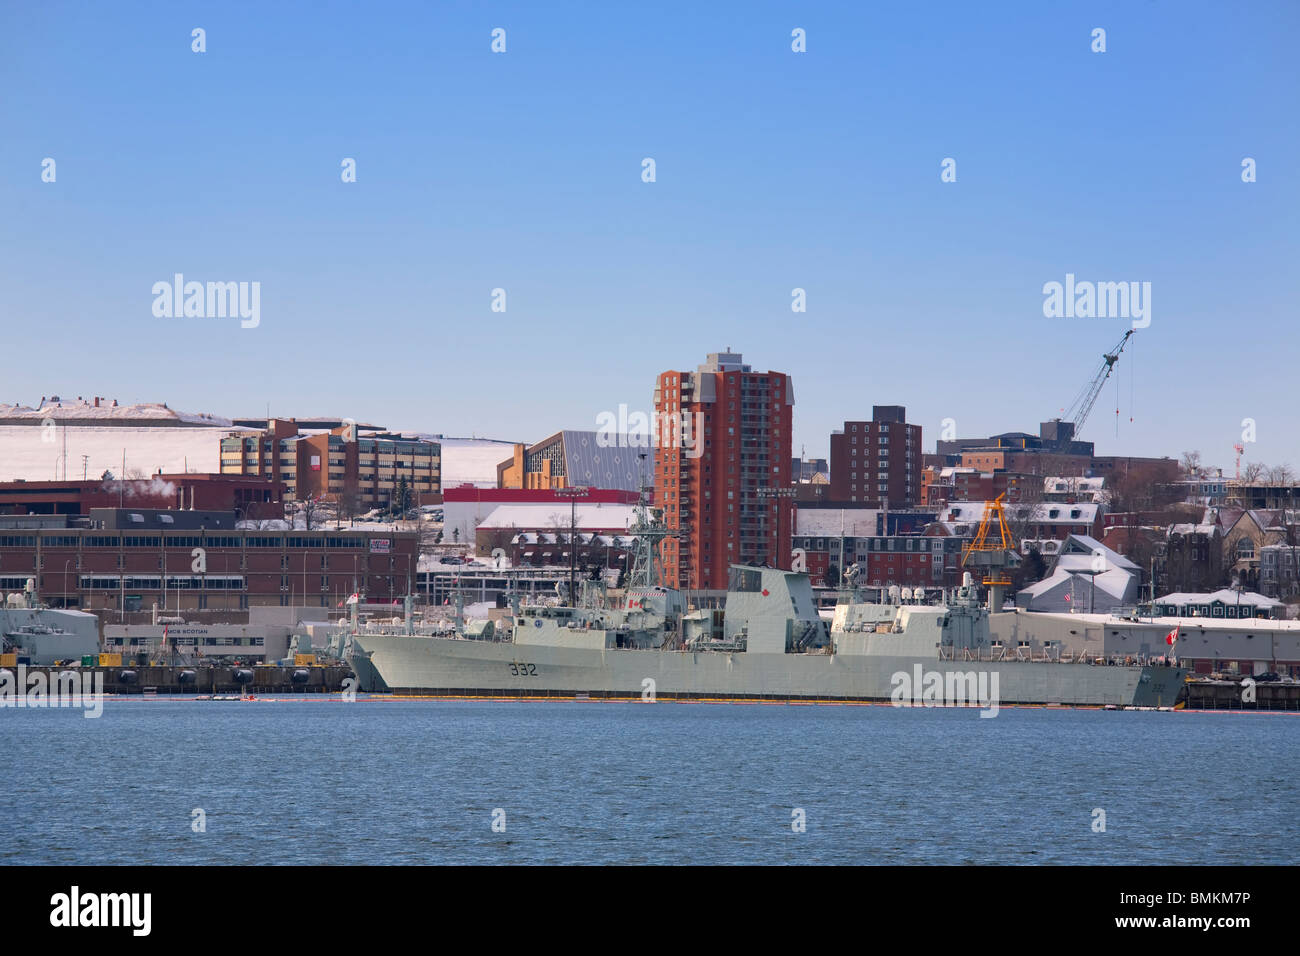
[[417, 782]]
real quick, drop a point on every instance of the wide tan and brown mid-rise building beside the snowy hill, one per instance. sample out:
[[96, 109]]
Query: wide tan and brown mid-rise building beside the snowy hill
[[343, 462]]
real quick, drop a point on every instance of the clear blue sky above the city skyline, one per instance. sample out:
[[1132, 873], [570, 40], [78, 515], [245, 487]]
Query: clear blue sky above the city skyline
[[775, 170]]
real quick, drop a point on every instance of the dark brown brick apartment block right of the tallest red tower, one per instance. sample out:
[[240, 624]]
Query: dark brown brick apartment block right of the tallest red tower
[[878, 462]]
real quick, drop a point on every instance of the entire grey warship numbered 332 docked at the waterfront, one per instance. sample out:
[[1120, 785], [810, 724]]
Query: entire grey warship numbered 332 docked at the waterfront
[[769, 643]]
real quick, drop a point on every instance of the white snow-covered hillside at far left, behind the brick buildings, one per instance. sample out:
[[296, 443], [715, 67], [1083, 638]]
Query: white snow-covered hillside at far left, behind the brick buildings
[[24, 453]]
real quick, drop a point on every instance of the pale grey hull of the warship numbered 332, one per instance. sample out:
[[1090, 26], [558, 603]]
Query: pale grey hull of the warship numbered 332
[[443, 667]]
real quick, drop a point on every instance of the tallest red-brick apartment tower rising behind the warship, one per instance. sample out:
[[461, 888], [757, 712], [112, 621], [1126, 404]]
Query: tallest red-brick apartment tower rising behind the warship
[[723, 447]]
